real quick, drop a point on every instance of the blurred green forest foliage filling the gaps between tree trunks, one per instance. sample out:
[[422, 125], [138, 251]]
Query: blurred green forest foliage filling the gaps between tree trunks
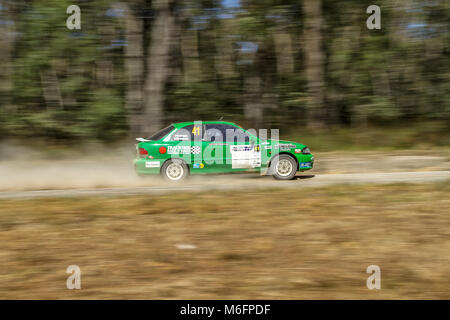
[[72, 84]]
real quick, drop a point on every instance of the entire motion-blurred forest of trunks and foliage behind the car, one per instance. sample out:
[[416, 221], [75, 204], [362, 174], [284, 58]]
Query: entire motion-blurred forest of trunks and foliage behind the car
[[301, 66]]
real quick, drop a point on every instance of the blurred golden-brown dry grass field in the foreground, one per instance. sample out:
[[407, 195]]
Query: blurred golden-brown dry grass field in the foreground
[[273, 244]]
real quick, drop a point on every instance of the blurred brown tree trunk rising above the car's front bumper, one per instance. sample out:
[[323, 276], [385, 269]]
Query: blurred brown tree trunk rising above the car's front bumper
[[314, 61]]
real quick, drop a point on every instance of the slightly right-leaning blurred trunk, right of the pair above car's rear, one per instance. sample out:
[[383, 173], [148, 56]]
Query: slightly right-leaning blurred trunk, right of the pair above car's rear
[[157, 66]]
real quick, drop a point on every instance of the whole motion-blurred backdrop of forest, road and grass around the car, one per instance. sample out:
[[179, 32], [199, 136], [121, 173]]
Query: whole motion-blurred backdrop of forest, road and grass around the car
[[373, 106]]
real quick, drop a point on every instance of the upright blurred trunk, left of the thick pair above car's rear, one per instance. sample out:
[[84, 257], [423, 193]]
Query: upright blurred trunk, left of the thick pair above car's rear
[[134, 68]]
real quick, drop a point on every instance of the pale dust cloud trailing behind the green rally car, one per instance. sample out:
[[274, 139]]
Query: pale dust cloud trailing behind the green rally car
[[91, 166]]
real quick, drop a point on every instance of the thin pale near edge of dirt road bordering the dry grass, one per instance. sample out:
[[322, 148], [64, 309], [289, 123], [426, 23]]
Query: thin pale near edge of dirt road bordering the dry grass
[[238, 182]]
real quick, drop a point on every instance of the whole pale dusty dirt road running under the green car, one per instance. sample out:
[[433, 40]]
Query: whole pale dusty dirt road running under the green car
[[95, 174]]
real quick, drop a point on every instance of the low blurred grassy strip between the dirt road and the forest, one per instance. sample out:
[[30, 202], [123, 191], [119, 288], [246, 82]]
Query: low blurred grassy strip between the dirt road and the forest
[[426, 138]]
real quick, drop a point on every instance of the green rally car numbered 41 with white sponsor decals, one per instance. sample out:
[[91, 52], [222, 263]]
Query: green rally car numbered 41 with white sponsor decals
[[202, 147]]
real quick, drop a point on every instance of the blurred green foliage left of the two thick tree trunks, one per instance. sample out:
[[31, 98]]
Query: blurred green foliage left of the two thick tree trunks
[[55, 87]]
